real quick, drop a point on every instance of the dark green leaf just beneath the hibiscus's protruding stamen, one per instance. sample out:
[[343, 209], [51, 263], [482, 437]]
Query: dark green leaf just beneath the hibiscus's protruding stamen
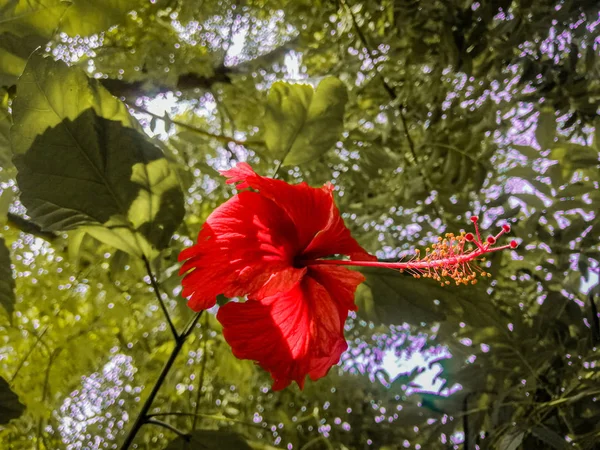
[[389, 297]]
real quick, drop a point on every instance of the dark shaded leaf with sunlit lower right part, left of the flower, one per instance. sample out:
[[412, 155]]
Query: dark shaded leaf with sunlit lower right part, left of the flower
[[94, 172]]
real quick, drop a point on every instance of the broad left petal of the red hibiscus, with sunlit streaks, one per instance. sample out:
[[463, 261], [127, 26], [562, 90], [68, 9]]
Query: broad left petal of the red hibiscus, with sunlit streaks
[[246, 247]]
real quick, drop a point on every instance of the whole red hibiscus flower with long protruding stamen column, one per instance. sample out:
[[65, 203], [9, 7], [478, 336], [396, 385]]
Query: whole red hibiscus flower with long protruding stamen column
[[267, 245]]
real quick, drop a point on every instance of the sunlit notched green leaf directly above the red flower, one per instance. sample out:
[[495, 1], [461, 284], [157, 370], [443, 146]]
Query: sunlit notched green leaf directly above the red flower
[[300, 123]]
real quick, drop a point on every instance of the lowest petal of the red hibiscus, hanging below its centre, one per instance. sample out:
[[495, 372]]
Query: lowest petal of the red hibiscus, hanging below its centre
[[290, 335]]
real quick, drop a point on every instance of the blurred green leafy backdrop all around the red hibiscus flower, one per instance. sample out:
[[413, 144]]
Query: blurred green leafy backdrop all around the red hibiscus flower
[[449, 108]]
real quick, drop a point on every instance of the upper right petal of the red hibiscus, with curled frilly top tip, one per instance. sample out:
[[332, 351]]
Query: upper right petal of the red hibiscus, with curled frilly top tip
[[321, 230]]
